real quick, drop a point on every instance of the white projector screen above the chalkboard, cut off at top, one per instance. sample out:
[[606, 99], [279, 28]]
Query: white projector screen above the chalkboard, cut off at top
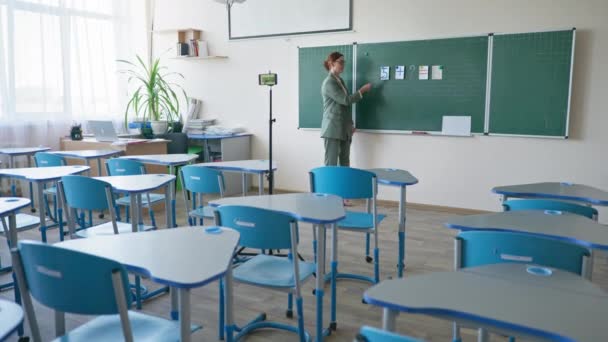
[[265, 18]]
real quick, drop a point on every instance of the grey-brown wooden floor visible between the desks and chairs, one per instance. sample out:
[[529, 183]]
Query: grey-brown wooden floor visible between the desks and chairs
[[429, 248]]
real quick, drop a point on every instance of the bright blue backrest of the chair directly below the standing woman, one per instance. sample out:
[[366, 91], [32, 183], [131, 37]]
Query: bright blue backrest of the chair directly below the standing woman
[[346, 182]]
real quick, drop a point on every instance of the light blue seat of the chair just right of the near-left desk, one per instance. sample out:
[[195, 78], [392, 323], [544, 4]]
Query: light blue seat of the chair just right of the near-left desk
[[271, 271]]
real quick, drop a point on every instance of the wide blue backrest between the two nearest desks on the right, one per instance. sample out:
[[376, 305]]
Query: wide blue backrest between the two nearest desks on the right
[[477, 248]]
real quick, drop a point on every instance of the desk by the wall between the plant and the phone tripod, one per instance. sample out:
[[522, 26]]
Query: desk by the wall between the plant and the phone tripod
[[225, 148]]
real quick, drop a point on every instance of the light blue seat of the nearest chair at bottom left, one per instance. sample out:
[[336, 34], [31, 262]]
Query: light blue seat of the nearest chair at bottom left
[[108, 328]]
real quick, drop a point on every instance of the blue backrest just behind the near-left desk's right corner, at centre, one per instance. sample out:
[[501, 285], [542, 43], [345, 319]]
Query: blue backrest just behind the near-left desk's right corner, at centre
[[259, 228]]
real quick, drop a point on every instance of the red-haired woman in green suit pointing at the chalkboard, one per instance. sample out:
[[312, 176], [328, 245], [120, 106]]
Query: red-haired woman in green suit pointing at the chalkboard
[[337, 126]]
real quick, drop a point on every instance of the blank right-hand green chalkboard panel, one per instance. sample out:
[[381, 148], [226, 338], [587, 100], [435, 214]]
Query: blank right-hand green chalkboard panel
[[531, 83]]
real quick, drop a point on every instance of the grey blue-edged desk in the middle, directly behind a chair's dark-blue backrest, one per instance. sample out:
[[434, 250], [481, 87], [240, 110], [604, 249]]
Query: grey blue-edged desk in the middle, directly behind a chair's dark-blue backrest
[[318, 209]]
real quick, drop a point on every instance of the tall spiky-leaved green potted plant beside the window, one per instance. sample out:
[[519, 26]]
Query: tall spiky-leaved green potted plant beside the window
[[154, 99]]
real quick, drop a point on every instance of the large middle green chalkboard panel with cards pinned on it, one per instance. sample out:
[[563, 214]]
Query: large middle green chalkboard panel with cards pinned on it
[[414, 104]]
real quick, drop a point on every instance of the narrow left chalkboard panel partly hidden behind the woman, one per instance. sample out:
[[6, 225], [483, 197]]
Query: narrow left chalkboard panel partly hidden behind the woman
[[311, 76]]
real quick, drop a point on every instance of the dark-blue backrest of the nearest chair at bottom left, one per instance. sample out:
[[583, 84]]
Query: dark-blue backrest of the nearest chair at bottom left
[[71, 281]]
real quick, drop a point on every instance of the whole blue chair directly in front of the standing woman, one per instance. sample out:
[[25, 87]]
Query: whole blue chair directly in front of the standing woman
[[350, 183]]
